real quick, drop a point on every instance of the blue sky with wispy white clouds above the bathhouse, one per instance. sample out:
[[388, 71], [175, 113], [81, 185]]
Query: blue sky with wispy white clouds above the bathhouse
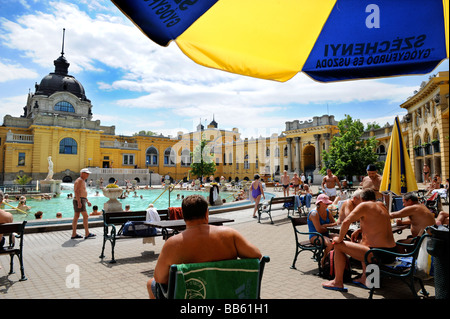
[[136, 85]]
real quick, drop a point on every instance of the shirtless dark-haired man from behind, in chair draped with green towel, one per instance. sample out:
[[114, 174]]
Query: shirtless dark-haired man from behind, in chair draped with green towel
[[200, 242]]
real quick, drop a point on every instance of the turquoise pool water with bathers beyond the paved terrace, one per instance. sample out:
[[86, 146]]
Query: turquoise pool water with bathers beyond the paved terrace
[[65, 205]]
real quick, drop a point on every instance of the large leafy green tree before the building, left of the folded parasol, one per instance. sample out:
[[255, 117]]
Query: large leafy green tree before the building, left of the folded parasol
[[349, 154]]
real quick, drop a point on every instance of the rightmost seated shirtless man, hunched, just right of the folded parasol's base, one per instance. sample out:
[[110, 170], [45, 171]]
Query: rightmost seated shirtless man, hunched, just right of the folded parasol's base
[[419, 216]]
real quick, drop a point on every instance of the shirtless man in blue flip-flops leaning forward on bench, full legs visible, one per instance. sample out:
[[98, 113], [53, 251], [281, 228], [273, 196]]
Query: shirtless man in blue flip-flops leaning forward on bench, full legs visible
[[375, 231]]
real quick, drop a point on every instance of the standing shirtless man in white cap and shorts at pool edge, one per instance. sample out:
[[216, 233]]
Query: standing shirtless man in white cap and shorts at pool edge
[[79, 204]]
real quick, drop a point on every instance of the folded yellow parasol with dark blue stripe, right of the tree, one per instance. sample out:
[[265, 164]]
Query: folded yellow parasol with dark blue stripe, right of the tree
[[398, 176]]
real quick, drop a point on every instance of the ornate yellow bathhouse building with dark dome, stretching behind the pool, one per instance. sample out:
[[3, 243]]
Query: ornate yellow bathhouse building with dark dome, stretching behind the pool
[[57, 123]]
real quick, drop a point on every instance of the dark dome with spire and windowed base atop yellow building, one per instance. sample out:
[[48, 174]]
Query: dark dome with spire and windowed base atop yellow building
[[59, 93]]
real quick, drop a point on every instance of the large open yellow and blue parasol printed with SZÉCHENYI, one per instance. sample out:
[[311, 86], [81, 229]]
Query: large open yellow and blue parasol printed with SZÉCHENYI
[[330, 40]]
